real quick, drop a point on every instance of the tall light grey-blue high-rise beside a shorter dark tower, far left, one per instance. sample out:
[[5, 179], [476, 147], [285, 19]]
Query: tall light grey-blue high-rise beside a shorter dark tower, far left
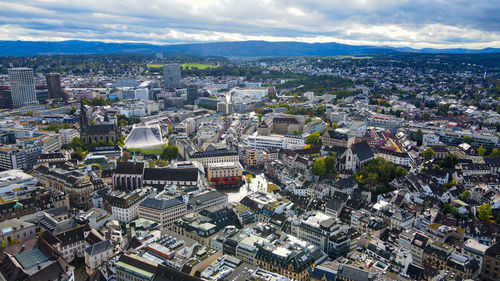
[[22, 86]]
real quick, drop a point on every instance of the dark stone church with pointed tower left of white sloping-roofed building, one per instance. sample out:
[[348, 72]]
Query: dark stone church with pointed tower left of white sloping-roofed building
[[105, 130]]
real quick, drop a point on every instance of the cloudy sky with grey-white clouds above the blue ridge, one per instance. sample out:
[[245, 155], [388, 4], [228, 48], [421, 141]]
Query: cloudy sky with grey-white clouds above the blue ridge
[[398, 23]]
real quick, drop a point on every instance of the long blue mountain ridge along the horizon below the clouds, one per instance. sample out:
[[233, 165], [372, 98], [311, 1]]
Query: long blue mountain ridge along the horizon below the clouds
[[227, 49]]
